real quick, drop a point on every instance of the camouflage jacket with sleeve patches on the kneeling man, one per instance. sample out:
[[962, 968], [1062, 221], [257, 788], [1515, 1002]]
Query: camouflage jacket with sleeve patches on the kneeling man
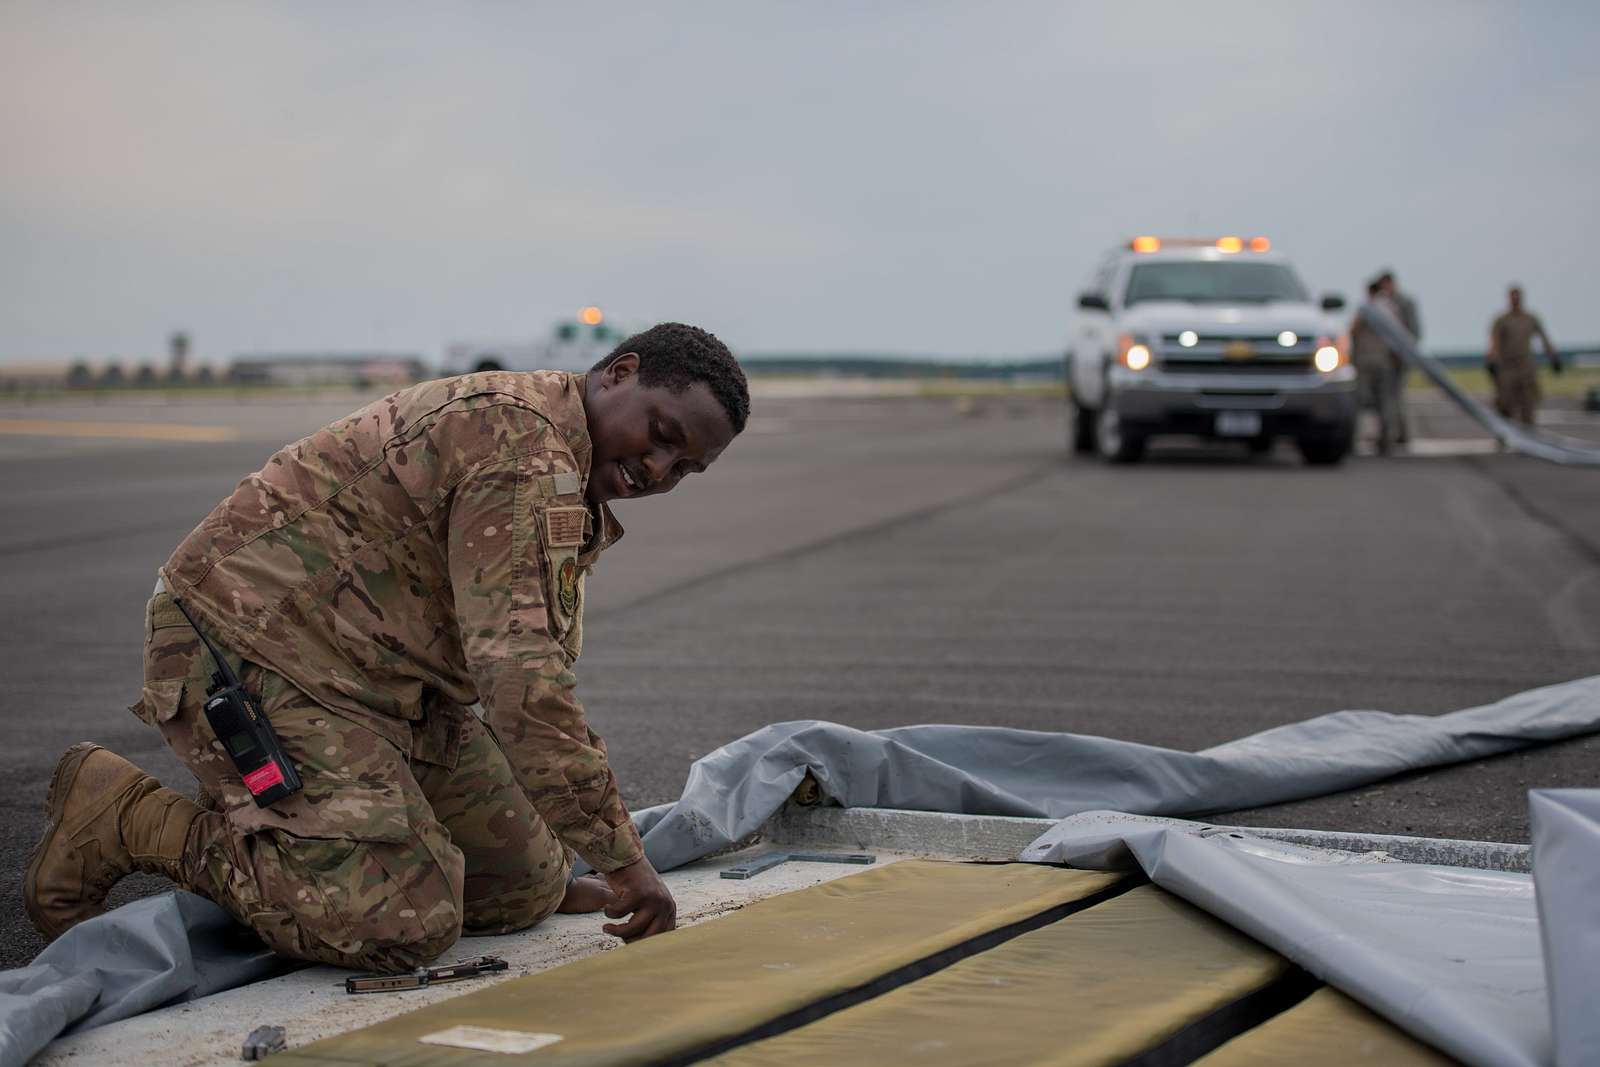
[[423, 554]]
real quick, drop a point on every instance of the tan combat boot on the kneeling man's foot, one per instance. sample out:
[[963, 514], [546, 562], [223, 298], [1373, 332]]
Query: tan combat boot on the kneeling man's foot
[[108, 818]]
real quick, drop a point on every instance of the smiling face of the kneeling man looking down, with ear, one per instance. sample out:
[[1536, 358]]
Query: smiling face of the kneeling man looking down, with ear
[[647, 439]]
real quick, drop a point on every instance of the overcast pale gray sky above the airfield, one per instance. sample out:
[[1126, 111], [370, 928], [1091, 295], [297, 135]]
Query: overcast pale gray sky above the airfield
[[806, 177]]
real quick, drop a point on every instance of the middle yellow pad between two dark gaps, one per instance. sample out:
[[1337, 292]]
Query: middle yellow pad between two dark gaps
[[1097, 988]]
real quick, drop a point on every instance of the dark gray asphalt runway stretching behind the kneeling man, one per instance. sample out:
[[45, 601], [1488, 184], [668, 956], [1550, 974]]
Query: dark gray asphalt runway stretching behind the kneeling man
[[884, 561]]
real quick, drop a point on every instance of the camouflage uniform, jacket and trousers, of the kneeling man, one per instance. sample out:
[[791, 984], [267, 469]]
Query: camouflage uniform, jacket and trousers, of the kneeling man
[[377, 578]]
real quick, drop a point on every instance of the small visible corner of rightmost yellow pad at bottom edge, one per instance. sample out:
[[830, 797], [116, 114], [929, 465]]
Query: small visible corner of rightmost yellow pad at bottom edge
[[1327, 1029]]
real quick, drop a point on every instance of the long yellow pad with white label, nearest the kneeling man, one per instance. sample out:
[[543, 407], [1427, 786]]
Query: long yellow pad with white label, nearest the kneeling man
[[703, 985]]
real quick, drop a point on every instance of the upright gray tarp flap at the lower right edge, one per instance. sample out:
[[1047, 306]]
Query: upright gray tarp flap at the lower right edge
[[1567, 874]]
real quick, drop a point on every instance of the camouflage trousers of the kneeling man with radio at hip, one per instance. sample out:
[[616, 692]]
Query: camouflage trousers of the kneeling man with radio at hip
[[388, 855]]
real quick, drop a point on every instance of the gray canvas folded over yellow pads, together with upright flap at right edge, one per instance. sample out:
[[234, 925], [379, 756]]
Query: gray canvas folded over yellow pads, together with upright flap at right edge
[[1500, 970]]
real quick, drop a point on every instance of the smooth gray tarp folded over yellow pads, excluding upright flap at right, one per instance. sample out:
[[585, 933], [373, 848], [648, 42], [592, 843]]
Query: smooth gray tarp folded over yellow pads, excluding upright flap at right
[[1447, 954]]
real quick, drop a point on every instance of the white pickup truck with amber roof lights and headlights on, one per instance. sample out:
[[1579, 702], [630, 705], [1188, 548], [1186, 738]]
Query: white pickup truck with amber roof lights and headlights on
[[1214, 338]]
